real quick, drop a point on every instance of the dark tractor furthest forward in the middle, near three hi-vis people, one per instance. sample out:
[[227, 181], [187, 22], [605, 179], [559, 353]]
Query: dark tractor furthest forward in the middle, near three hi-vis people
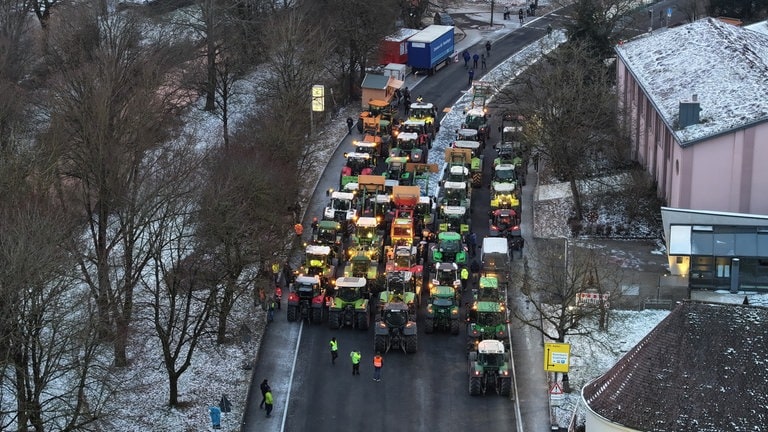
[[395, 328]]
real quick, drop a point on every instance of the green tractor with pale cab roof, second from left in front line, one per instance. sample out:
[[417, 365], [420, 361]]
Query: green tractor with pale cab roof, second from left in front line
[[349, 305]]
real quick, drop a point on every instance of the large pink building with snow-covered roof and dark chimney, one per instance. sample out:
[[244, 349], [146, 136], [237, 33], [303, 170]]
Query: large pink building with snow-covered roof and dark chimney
[[695, 99]]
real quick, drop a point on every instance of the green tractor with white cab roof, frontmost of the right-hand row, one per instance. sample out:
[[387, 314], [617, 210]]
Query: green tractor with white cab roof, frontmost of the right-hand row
[[489, 365]]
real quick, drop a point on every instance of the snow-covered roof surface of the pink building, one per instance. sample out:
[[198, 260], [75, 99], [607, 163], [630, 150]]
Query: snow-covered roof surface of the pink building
[[724, 65]]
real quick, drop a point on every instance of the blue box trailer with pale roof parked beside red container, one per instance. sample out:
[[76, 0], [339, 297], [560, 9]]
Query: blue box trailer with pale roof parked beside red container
[[431, 48]]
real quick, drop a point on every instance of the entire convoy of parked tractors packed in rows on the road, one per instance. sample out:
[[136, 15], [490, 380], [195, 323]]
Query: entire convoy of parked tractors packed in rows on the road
[[399, 246]]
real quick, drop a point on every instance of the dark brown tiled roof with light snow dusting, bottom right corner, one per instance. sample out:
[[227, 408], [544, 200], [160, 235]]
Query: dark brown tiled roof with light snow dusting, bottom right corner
[[701, 369]]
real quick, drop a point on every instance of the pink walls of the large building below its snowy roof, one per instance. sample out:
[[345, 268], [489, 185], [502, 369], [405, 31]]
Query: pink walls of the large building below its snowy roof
[[724, 173]]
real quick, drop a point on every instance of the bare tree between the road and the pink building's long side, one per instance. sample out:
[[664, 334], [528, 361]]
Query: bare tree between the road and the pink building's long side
[[571, 115]]
